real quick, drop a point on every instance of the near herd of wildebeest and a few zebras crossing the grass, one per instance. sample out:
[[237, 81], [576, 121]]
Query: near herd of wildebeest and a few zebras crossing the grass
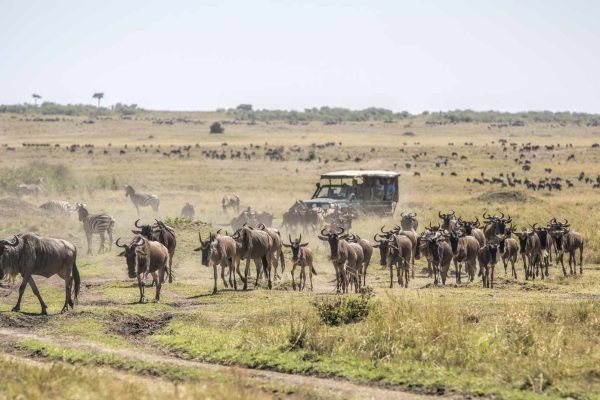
[[463, 243]]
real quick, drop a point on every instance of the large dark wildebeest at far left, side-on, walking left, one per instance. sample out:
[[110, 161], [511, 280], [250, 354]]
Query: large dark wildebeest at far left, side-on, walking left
[[29, 254]]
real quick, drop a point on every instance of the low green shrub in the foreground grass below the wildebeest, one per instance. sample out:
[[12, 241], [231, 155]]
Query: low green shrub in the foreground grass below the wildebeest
[[344, 310]]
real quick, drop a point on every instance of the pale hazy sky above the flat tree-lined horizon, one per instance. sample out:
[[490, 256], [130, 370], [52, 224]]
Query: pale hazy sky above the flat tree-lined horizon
[[507, 55]]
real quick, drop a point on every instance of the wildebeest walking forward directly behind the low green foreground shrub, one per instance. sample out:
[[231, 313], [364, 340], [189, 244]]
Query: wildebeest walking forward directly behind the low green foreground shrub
[[347, 258]]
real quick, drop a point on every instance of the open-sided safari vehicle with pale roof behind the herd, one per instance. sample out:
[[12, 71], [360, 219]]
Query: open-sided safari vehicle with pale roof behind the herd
[[363, 191]]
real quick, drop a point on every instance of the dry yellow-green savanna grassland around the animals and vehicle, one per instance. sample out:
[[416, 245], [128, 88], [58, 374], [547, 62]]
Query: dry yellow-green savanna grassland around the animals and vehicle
[[522, 339]]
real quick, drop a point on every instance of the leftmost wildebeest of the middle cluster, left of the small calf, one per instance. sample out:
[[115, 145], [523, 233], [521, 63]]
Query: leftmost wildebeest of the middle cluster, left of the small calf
[[220, 250]]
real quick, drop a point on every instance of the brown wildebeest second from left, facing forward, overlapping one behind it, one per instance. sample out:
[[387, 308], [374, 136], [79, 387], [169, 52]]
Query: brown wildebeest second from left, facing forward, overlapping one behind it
[[143, 257]]
